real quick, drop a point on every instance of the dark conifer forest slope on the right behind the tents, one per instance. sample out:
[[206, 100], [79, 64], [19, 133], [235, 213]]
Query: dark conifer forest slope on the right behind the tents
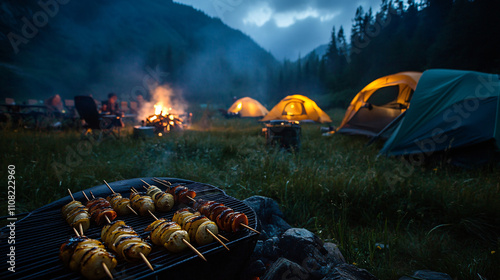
[[402, 36]]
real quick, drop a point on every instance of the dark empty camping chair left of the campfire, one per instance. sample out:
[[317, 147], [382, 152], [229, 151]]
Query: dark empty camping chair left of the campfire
[[87, 109]]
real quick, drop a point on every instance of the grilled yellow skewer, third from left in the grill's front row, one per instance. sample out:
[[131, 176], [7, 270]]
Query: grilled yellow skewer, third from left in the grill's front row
[[170, 235]]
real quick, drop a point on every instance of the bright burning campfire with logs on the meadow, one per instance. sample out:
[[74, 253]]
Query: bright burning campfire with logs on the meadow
[[164, 120]]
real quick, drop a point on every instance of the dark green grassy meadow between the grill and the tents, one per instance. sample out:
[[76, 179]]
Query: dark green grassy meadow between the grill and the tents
[[387, 216]]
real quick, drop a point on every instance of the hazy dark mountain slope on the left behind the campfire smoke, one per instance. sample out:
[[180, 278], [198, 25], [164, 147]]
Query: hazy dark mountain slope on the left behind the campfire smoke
[[123, 46]]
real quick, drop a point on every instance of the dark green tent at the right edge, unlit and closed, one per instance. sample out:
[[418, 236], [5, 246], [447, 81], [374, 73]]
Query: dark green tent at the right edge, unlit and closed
[[450, 110]]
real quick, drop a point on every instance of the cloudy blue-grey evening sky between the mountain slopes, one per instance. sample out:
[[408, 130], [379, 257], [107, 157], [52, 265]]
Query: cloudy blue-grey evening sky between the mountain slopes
[[285, 27]]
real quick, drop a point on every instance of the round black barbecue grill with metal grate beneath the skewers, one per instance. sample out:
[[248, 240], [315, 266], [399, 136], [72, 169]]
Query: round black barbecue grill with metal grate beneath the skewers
[[40, 234]]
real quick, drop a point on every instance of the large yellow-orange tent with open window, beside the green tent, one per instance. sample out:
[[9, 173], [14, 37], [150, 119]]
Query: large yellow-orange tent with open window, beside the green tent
[[379, 103]]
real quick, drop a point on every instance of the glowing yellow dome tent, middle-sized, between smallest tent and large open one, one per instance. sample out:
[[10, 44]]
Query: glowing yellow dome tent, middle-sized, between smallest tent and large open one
[[297, 108]]
